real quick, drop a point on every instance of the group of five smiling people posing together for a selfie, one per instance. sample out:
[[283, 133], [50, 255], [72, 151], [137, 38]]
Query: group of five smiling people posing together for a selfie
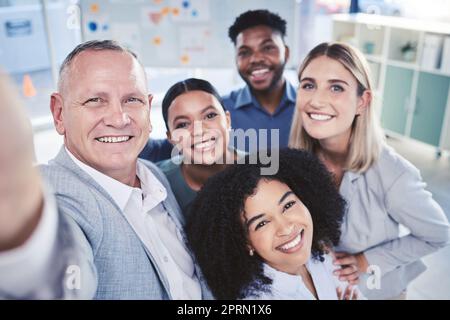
[[102, 221]]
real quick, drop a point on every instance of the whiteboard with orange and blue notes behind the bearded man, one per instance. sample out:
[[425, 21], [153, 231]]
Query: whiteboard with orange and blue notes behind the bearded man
[[179, 33]]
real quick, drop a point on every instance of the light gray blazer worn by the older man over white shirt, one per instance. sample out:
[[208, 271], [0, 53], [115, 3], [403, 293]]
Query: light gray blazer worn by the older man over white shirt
[[95, 239]]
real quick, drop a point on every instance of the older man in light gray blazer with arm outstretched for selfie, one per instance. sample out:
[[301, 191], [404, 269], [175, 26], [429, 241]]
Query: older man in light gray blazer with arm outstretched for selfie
[[104, 224]]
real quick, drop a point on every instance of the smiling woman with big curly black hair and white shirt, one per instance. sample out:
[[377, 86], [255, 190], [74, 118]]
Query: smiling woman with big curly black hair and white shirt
[[267, 237]]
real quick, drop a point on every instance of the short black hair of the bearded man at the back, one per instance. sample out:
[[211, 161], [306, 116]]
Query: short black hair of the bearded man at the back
[[253, 18]]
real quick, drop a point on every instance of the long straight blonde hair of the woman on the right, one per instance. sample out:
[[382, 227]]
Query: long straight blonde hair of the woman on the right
[[366, 139]]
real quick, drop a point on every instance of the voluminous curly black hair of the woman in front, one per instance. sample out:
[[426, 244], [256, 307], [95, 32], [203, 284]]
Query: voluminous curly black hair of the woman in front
[[216, 233]]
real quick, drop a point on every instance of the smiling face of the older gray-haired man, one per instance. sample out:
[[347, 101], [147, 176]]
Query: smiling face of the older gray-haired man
[[103, 111]]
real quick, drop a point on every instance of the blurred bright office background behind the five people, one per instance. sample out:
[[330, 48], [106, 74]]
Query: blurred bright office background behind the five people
[[407, 43]]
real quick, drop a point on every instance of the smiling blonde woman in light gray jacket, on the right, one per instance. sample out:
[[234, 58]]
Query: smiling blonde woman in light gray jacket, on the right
[[335, 120]]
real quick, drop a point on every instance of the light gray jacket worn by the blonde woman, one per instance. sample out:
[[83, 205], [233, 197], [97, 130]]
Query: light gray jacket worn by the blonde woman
[[391, 193]]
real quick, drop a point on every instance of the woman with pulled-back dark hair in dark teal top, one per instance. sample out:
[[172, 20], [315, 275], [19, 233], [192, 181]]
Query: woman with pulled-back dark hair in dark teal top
[[198, 126]]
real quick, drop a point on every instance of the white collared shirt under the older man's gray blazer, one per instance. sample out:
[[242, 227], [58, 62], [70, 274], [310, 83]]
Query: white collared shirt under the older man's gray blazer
[[144, 210]]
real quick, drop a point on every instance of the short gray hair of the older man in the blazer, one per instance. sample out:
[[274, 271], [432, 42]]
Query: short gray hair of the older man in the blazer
[[95, 45]]
